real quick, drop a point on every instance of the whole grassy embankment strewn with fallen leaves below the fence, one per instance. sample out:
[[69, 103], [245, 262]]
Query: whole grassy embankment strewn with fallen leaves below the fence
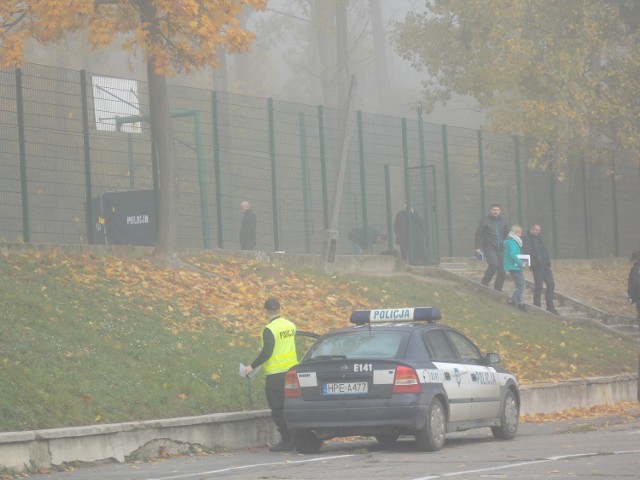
[[91, 339]]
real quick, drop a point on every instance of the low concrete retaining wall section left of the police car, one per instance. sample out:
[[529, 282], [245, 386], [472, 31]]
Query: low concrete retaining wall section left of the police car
[[122, 442]]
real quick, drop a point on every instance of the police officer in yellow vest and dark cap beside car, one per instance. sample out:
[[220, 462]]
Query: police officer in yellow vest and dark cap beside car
[[278, 354]]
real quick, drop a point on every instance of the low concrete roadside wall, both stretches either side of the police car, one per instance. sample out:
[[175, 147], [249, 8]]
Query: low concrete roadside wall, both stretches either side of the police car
[[121, 442]]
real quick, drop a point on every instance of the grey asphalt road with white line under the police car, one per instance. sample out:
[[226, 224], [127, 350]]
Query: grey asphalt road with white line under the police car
[[605, 448]]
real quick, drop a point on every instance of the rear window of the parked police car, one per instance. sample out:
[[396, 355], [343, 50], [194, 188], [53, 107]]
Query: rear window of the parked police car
[[362, 344]]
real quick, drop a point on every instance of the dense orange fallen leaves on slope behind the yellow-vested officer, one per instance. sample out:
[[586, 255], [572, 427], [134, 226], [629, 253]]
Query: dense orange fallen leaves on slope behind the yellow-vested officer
[[225, 290]]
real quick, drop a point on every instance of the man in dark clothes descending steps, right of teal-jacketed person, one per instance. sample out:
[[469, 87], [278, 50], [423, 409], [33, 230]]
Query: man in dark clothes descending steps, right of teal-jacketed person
[[541, 268]]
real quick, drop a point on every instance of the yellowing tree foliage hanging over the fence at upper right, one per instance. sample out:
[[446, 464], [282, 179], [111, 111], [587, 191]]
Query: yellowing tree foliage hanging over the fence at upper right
[[562, 74]]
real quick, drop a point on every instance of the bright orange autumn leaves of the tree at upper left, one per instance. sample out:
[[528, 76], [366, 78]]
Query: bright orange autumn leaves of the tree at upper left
[[190, 30]]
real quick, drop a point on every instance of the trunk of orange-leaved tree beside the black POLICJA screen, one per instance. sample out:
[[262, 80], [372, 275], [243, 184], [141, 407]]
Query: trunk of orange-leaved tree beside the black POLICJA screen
[[163, 137]]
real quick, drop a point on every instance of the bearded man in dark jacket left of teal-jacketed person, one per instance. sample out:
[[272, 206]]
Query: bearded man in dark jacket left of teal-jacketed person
[[491, 232]]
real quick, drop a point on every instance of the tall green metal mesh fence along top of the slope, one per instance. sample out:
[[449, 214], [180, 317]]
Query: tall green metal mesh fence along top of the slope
[[58, 164]]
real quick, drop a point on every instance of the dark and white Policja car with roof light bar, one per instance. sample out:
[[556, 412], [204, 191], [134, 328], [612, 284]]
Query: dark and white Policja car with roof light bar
[[397, 372]]
